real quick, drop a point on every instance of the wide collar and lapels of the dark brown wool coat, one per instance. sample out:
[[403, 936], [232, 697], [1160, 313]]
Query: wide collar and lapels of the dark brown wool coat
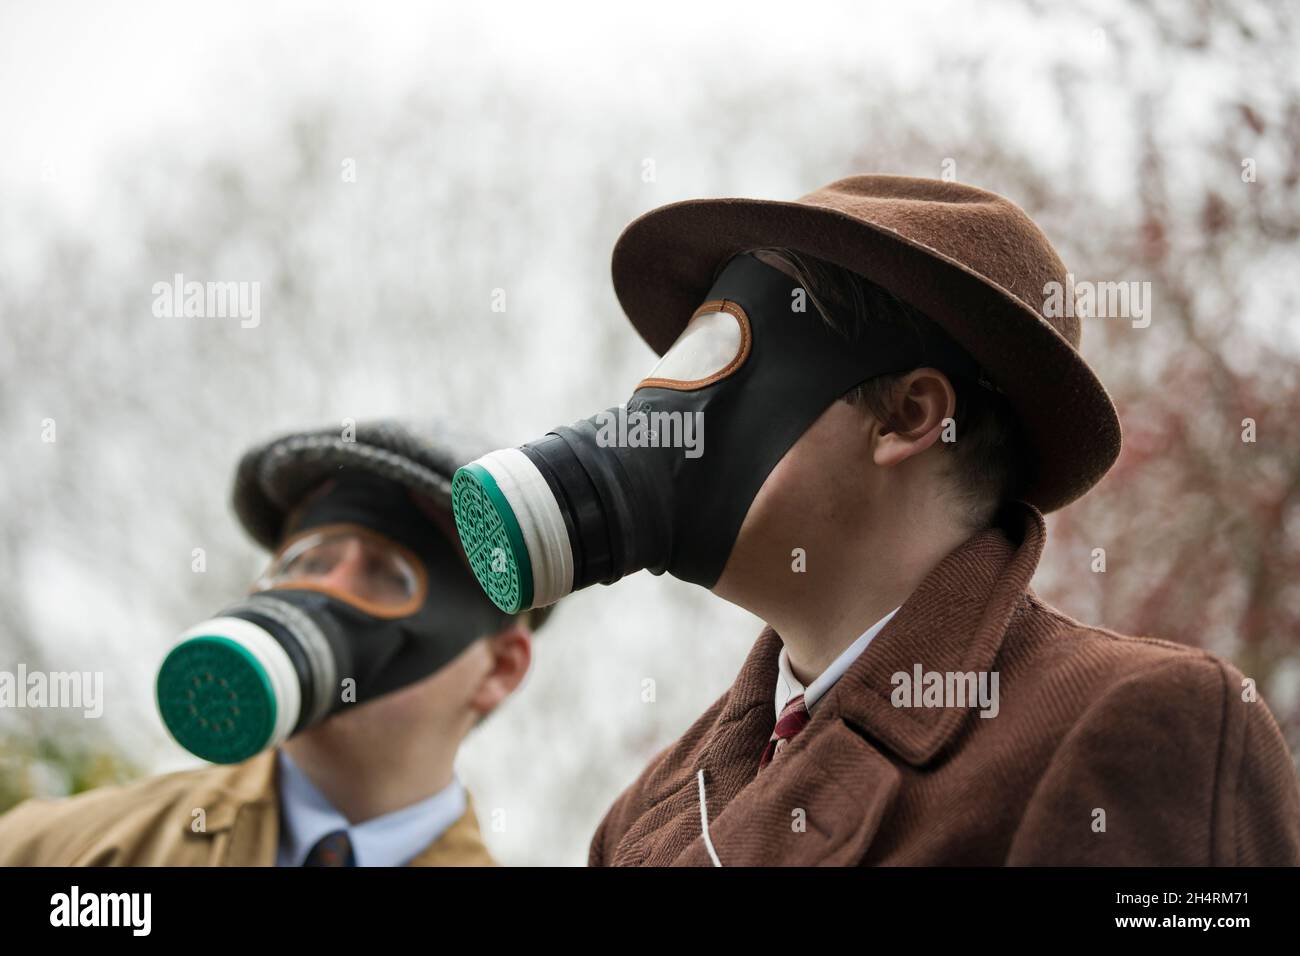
[[825, 799]]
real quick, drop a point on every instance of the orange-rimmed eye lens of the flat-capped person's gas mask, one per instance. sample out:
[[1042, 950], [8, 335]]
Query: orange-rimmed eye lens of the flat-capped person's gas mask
[[352, 563]]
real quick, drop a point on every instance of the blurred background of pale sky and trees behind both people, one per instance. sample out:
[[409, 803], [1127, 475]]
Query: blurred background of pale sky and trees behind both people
[[499, 152]]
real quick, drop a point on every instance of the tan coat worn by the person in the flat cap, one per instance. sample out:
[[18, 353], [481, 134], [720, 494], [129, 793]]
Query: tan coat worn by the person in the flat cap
[[151, 824]]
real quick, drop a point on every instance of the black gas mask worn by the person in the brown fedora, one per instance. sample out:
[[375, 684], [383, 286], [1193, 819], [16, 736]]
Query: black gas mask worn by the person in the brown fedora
[[666, 481]]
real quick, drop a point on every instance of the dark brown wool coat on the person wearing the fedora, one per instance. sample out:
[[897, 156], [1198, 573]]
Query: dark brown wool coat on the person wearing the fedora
[[1154, 734]]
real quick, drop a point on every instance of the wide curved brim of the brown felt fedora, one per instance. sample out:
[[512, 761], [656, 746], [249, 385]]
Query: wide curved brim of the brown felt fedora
[[665, 261]]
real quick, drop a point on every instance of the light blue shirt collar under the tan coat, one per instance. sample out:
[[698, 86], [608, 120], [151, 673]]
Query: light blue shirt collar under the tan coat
[[393, 840]]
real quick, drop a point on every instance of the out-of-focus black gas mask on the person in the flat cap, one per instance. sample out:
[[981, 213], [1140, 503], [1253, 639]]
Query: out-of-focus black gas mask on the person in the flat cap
[[366, 598]]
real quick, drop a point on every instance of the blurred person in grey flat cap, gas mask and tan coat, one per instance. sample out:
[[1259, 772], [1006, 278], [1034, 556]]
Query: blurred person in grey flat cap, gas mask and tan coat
[[333, 698]]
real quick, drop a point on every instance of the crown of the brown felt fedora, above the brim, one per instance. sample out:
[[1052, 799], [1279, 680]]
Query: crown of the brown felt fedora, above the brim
[[978, 231]]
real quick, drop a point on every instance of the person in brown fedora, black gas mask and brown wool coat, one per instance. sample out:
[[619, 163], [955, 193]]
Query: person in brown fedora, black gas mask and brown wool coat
[[883, 413]]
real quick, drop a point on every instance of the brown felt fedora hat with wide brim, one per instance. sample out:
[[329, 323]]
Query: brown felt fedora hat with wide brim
[[969, 259]]
